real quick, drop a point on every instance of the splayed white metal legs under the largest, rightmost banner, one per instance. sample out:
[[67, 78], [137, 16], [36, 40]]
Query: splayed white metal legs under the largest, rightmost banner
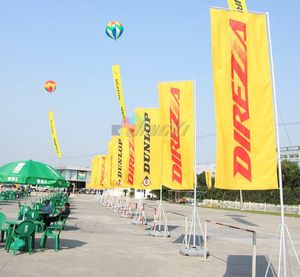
[[283, 251]]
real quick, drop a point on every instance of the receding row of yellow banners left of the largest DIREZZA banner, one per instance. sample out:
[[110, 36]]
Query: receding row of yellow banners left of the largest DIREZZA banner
[[158, 149]]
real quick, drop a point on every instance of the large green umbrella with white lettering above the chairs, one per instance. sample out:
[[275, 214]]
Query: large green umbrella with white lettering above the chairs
[[32, 173]]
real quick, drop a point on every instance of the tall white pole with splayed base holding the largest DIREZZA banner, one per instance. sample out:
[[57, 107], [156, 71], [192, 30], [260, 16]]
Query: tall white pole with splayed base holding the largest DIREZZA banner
[[282, 227]]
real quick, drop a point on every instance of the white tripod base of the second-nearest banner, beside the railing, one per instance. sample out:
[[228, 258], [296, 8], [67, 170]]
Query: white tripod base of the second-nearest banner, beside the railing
[[192, 244]]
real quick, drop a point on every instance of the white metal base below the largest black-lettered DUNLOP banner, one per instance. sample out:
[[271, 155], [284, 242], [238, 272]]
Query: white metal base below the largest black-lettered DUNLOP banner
[[159, 218]]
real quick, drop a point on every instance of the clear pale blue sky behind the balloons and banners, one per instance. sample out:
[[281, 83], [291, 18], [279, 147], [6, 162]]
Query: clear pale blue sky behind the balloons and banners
[[163, 40]]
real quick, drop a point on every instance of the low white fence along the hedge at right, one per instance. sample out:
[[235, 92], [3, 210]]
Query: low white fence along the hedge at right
[[250, 206]]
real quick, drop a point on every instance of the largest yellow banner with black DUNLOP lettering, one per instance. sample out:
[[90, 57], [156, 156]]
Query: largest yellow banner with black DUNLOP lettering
[[148, 149]]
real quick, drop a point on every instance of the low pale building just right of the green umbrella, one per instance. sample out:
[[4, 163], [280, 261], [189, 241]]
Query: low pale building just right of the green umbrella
[[77, 176]]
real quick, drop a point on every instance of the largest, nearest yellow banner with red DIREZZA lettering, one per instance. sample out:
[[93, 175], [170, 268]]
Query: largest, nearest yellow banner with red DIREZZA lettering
[[246, 151]]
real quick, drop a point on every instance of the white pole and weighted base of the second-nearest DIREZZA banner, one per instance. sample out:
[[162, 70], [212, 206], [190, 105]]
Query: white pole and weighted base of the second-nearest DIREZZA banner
[[194, 248]]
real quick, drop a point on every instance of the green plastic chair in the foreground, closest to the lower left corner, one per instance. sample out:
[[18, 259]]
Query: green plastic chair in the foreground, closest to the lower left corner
[[23, 233]]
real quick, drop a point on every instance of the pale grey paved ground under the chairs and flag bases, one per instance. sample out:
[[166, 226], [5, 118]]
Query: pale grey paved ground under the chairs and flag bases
[[100, 243]]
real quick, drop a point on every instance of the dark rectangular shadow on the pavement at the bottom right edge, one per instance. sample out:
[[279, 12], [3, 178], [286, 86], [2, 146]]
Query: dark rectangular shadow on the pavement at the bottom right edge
[[241, 266]]
